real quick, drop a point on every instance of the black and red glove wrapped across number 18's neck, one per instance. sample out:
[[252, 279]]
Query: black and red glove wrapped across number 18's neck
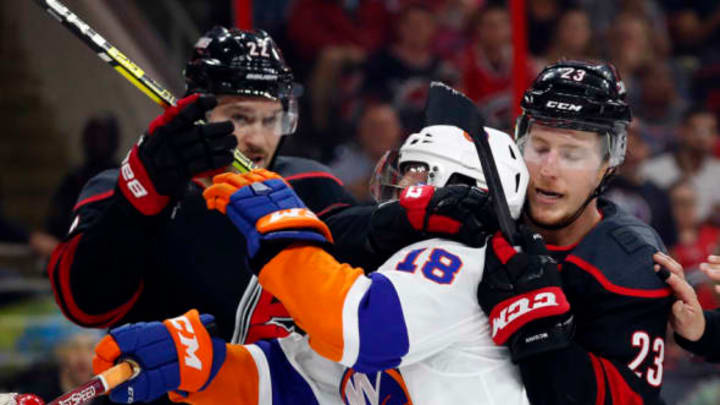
[[458, 212]]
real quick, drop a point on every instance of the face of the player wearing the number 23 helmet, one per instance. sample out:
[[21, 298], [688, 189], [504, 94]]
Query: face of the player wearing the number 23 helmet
[[565, 167]]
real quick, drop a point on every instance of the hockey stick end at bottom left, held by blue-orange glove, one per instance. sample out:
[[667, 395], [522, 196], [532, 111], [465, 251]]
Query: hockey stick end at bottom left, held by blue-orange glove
[[100, 384]]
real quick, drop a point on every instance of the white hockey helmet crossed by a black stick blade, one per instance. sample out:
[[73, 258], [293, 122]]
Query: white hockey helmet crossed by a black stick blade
[[447, 154]]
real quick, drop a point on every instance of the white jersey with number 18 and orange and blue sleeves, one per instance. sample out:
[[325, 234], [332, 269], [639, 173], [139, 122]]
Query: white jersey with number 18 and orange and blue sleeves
[[410, 333]]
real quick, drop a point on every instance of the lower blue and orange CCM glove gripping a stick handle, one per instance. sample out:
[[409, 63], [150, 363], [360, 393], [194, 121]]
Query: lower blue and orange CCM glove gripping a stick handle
[[177, 354]]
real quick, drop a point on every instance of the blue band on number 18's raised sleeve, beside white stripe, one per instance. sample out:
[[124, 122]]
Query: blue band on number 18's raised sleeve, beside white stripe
[[383, 334]]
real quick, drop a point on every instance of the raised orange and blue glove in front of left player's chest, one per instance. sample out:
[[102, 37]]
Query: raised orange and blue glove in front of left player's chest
[[267, 212]]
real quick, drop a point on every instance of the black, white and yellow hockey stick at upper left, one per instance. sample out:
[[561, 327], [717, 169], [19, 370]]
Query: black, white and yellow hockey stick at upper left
[[127, 68]]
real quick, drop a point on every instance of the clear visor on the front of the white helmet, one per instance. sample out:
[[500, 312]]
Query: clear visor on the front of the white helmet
[[390, 178]]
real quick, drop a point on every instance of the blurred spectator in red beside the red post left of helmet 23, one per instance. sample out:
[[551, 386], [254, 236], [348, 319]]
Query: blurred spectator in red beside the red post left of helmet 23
[[485, 65]]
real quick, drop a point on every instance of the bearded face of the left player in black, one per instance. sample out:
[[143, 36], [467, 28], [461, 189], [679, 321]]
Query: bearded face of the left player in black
[[256, 121]]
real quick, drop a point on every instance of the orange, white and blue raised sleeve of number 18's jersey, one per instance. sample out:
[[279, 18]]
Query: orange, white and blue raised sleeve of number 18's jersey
[[339, 307]]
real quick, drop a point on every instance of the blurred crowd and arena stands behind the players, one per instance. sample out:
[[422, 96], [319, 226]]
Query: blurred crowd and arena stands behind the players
[[365, 66]]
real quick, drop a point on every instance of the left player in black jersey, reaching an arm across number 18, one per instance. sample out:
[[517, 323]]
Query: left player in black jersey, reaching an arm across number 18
[[144, 246]]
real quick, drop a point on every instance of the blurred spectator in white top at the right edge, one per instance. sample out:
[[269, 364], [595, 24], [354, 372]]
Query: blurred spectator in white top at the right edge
[[692, 159]]
